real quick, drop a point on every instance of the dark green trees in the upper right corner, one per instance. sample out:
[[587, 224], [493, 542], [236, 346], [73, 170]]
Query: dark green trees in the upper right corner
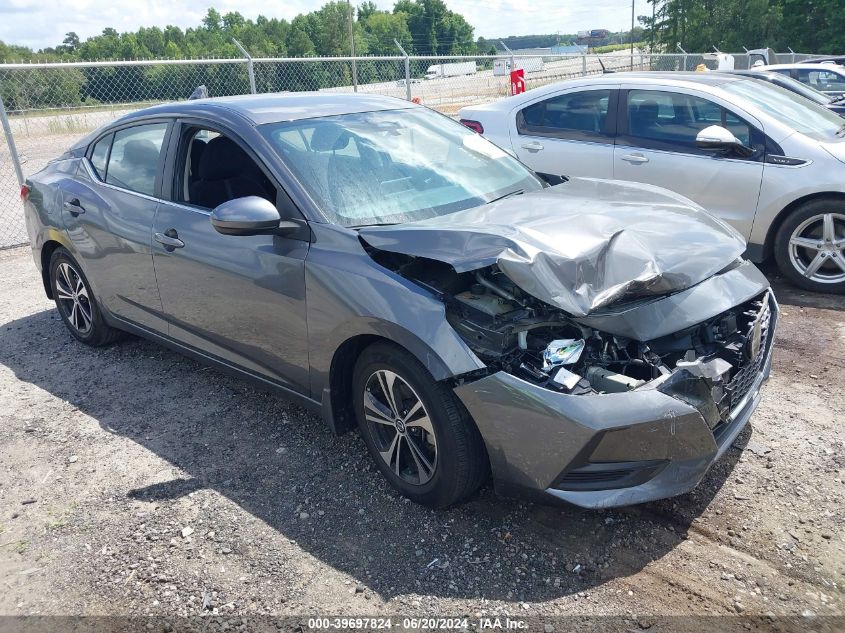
[[807, 26]]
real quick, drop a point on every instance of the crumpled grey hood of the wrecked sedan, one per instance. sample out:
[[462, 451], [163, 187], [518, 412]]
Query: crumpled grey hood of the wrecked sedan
[[579, 246]]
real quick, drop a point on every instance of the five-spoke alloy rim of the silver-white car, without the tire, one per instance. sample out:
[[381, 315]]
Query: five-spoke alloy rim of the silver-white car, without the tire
[[817, 248]]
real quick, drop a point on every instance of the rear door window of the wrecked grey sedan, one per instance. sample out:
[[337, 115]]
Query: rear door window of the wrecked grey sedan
[[134, 160]]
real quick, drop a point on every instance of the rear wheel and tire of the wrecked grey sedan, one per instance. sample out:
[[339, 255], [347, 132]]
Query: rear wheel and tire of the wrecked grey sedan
[[76, 302]]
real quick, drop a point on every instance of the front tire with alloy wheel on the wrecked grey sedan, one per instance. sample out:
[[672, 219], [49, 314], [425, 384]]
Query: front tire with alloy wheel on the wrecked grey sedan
[[420, 436]]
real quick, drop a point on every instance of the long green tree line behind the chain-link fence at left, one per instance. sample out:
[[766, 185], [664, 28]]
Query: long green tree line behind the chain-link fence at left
[[422, 27]]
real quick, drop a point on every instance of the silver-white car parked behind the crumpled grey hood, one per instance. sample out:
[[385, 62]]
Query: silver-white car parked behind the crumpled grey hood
[[765, 160]]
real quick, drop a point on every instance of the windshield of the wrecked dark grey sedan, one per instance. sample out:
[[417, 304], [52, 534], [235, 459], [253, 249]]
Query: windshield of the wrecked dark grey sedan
[[395, 166]]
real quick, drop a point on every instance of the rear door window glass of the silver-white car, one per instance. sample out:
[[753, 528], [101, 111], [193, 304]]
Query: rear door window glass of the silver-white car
[[581, 115]]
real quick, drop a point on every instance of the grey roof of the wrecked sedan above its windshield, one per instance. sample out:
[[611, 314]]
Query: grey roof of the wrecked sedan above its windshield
[[276, 107]]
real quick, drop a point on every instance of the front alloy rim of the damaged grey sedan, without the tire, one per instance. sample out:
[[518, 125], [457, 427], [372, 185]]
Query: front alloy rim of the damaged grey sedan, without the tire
[[400, 426]]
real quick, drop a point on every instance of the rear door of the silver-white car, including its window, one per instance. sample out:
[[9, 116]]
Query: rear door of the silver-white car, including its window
[[569, 133]]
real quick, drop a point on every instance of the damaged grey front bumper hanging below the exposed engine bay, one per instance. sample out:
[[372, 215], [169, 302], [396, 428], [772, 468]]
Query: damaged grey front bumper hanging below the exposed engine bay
[[607, 450]]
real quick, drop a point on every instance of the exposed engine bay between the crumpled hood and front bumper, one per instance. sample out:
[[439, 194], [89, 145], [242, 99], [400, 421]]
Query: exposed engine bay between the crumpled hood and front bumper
[[514, 332]]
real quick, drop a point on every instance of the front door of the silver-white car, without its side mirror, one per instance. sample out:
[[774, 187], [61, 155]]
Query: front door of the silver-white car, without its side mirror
[[655, 144]]
